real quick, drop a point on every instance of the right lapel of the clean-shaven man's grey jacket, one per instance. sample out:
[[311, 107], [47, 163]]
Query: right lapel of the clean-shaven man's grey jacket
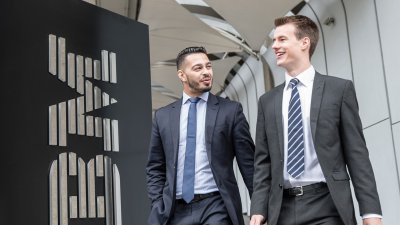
[[318, 88]]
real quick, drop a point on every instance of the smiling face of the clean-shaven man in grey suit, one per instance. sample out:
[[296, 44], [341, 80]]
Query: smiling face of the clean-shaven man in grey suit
[[291, 53]]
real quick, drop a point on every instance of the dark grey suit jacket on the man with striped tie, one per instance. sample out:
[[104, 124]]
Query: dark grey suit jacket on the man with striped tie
[[339, 144]]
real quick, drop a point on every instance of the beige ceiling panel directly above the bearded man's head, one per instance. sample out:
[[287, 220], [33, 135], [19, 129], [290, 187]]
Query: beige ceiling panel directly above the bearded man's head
[[173, 28]]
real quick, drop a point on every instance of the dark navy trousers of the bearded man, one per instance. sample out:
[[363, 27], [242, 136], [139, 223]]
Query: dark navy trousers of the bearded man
[[209, 211]]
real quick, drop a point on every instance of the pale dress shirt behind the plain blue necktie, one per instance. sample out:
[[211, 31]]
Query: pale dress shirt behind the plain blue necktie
[[204, 180]]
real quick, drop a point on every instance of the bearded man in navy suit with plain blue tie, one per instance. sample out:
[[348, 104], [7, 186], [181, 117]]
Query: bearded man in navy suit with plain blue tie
[[190, 178]]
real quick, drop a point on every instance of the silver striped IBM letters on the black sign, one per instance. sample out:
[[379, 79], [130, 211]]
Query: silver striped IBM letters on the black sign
[[70, 117]]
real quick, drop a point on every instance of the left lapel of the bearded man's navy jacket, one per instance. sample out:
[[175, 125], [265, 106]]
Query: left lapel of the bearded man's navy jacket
[[175, 126]]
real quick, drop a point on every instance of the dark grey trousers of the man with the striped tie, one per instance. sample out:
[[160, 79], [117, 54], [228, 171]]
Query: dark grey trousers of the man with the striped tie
[[315, 207]]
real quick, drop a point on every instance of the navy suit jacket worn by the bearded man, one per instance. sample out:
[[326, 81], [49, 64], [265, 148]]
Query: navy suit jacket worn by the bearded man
[[227, 136]]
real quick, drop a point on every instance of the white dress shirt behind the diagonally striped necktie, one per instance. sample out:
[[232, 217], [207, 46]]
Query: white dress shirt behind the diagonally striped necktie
[[312, 169]]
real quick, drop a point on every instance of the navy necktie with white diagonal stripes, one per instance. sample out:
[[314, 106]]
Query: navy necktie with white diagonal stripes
[[295, 159]]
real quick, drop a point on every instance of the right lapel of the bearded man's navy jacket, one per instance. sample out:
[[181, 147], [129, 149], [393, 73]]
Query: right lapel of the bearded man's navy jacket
[[211, 116]]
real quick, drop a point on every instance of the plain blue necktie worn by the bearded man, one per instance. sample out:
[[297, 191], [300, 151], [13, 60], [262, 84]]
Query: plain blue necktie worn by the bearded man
[[190, 154]]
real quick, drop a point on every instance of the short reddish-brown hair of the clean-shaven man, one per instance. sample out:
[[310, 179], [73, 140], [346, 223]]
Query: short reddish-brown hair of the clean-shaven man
[[305, 27]]
